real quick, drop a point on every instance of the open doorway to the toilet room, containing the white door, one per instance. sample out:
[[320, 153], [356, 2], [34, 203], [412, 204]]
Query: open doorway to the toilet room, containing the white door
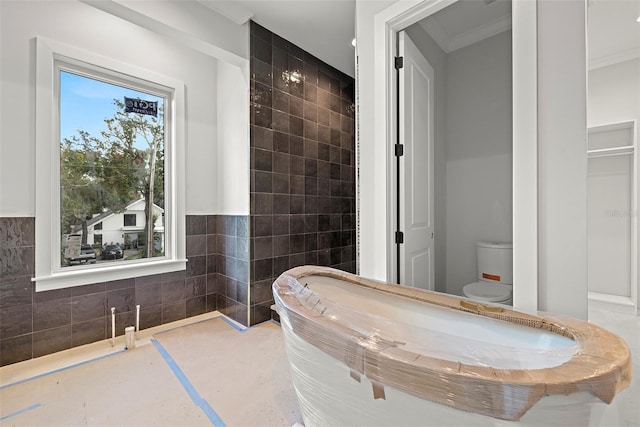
[[454, 166]]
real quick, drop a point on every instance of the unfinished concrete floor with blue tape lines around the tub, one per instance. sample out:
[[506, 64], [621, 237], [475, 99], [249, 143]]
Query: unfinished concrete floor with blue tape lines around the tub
[[204, 370]]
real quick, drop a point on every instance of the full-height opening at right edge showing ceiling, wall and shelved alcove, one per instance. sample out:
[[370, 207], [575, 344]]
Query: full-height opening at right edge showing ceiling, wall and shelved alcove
[[613, 37]]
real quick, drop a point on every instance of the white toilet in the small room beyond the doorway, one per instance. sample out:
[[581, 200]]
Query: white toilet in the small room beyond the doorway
[[495, 274]]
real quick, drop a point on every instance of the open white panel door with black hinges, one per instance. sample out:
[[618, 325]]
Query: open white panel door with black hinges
[[416, 167]]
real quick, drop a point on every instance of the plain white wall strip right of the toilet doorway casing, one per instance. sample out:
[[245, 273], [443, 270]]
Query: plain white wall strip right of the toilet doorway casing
[[562, 168]]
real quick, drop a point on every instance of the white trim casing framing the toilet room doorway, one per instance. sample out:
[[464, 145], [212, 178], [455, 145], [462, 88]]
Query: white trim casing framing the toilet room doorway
[[379, 27]]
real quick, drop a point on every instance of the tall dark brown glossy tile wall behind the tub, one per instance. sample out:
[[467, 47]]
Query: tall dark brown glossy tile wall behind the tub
[[302, 165]]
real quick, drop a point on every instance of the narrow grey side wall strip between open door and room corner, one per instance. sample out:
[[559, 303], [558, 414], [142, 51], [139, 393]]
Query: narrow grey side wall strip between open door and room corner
[[437, 59]]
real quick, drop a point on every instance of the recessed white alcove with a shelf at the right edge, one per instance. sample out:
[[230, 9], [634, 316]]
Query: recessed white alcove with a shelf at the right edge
[[612, 227]]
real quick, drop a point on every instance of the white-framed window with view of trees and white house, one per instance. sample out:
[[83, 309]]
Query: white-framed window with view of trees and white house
[[109, 139]]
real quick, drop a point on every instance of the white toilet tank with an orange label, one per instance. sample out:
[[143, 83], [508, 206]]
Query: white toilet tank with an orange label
[[495, 262]]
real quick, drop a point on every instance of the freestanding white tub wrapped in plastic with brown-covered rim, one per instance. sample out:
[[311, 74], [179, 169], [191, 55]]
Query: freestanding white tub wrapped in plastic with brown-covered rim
[[368, 353]]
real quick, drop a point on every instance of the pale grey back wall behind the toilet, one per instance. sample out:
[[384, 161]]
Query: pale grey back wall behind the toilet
[[479, 153]]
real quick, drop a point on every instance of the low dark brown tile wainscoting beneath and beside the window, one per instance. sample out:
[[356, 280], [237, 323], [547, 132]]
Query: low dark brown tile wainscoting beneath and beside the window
[[34, 324]]
